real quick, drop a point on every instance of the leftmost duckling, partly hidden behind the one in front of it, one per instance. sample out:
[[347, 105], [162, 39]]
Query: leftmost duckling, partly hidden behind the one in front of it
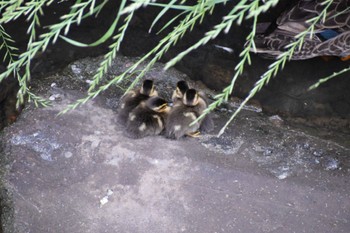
[[133, 98]]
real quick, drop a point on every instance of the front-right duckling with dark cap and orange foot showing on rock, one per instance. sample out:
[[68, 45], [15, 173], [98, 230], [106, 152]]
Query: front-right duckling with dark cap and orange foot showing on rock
[[183, 114]]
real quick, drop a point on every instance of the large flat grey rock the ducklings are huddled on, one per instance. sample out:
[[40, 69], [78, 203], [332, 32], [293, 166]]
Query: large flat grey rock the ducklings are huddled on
[[79, 173]]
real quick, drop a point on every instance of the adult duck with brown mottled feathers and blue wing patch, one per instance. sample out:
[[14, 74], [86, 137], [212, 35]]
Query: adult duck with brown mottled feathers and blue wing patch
[[330, 38]]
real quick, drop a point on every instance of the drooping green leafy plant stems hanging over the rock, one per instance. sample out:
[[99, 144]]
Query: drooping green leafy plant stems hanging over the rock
[[188, 16]]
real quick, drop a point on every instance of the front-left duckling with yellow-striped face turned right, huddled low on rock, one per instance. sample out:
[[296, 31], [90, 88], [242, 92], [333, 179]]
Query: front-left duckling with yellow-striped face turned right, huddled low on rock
[[148, 118]]
